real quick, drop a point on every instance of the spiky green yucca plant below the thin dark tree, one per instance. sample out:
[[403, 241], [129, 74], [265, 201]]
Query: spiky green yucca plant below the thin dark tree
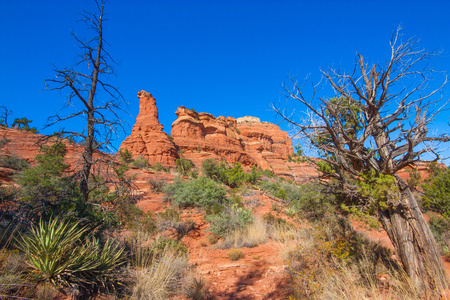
[[58, 253]]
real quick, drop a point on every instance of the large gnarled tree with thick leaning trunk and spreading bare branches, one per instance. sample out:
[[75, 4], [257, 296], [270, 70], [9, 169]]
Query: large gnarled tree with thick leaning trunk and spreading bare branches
[[377, 124]]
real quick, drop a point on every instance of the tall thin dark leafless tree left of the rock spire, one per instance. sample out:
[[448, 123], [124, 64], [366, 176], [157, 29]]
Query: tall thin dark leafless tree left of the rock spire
[[98, 101]]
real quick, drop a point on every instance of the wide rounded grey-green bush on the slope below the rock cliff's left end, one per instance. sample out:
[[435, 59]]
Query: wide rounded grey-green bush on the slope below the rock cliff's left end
[[200, 192]]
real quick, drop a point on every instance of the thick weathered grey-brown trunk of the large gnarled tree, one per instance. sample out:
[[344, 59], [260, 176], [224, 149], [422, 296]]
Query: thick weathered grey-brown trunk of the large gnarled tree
[[414, 241]]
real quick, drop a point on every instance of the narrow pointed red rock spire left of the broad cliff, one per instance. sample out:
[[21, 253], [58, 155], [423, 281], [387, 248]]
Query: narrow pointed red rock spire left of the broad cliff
[[147, 138]]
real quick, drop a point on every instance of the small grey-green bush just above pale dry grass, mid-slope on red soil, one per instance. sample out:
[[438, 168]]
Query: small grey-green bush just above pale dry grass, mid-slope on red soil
[[229, 220]]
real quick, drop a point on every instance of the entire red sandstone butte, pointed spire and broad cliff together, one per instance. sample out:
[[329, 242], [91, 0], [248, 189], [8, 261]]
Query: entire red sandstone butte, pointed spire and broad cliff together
[[198, 136]]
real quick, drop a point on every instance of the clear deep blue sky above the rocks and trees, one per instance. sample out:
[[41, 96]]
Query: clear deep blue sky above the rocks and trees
[[223, 57]]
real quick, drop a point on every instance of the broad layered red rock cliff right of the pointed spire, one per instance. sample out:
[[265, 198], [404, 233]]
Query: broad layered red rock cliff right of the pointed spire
[[246, 140]]
